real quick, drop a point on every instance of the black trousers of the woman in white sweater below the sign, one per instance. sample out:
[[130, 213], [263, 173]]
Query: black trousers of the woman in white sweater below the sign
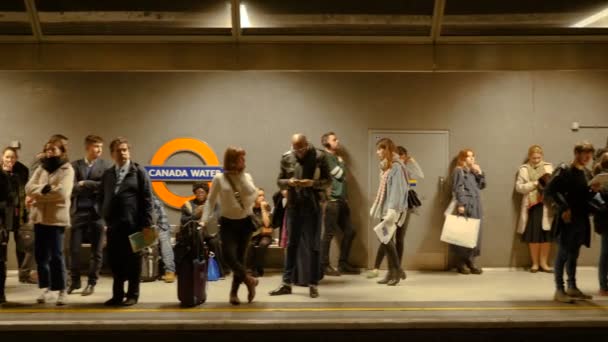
[[235, 235]]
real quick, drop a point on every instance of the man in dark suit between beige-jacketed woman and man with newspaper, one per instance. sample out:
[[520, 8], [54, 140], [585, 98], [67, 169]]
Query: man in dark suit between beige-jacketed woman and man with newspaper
[[85, 215]]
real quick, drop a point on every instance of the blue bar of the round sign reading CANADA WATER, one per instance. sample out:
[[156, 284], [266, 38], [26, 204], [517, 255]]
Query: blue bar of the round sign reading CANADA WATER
[[182, 173]]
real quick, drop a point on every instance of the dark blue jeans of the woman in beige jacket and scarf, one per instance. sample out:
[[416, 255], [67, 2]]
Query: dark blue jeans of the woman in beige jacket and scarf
[[49, 257]]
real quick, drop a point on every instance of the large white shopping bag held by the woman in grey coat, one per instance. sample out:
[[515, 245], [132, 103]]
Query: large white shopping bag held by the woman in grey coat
[[460, 231]]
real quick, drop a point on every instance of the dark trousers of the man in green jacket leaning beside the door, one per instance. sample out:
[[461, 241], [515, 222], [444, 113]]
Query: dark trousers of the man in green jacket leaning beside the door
[[337, 217]]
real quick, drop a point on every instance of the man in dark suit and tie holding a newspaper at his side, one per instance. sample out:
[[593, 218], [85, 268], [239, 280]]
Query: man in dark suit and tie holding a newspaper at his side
[[126, 204]]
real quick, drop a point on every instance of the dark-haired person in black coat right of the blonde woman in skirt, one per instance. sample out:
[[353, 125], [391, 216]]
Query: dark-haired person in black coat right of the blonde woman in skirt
[[570, 193]]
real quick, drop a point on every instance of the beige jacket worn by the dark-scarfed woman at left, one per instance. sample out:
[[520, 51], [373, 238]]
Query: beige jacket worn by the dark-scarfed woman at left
[[52, 208]]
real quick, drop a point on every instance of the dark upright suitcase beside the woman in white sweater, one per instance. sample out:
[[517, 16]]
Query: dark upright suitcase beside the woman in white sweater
[[192, 262]]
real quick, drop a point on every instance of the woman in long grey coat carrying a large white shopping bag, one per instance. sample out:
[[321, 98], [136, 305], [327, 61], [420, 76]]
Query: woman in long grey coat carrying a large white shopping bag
[[468, 181]]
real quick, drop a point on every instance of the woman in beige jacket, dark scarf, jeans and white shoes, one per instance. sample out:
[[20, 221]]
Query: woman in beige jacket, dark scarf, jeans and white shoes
[[50, 189]]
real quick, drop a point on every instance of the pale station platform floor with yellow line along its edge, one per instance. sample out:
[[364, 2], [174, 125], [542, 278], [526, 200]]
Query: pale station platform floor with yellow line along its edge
[[499, 299]]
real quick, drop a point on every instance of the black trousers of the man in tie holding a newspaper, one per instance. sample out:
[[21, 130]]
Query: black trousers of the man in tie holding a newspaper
[[125, 265]]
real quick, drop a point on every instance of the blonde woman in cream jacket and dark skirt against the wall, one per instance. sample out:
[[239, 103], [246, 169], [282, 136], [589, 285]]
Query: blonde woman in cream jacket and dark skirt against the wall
[[535, 219]]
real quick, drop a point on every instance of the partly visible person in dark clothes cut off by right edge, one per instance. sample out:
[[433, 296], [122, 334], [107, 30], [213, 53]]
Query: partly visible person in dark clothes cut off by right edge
[[600, 220]]
